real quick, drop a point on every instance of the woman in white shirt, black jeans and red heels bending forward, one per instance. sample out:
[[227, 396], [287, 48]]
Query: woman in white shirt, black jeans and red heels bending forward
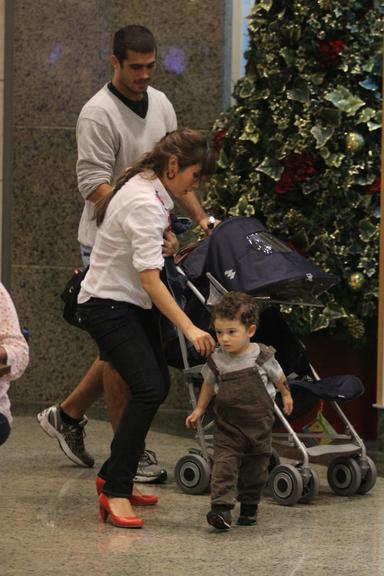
[[118, 293]]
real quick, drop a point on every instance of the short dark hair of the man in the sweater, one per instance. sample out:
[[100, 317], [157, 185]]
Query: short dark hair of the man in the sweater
[[133, 37]]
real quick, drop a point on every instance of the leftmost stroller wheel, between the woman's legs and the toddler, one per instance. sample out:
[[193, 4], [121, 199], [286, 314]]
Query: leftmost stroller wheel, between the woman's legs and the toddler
[[192, 474]]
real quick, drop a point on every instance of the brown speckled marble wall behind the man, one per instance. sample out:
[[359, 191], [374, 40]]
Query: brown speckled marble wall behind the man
[[61, 51]]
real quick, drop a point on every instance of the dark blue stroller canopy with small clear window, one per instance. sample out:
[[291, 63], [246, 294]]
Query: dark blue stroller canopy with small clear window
[[242, 255]]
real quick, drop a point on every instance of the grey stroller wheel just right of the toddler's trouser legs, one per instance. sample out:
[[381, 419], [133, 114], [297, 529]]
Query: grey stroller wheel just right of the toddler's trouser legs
[[286, 484]]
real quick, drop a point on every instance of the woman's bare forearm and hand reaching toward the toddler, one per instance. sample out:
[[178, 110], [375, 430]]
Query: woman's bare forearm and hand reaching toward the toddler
[[163, 300]]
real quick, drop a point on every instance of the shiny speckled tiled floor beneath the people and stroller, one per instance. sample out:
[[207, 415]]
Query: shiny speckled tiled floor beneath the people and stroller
[[49, 523]]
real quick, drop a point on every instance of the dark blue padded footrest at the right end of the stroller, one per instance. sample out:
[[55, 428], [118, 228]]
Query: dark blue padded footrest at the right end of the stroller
[[345, 387]]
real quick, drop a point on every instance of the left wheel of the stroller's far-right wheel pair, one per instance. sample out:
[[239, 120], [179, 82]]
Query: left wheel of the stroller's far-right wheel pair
[[344, 476]]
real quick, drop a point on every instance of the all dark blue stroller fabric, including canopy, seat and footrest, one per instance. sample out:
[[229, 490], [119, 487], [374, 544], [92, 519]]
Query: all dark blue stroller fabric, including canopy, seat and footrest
[[243, 256]]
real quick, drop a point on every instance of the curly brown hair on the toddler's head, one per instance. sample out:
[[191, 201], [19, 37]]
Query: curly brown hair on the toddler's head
[[237, 305]]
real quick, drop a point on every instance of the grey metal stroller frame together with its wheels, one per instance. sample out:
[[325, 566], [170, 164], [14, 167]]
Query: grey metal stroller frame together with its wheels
[[350, 469]]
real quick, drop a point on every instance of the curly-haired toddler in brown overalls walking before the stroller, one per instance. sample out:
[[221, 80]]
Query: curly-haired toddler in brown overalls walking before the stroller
[[246, 375]]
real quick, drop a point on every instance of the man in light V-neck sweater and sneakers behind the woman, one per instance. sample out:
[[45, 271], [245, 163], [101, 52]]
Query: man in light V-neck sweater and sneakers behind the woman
[[119, 123]]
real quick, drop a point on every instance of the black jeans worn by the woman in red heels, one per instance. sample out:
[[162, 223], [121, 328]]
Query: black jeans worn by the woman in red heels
[[129, 338]]
